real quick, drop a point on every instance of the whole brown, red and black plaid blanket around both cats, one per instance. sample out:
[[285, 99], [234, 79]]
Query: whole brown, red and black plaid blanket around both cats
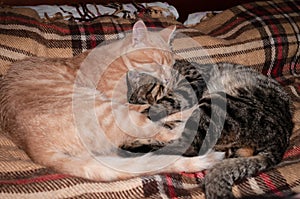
[[263, 35]]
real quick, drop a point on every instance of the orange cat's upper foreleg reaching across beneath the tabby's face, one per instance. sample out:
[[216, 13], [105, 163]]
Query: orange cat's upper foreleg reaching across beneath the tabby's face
[[121, 123]]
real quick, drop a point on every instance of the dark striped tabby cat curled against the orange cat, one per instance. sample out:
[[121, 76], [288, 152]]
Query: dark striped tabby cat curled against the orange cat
[[241, 112]]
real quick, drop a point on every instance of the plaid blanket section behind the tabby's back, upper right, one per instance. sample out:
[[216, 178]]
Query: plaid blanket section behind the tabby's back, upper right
[[262, 35]]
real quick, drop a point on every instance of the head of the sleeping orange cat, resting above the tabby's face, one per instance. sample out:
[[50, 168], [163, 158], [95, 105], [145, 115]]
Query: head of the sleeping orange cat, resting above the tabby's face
[[149, 51]]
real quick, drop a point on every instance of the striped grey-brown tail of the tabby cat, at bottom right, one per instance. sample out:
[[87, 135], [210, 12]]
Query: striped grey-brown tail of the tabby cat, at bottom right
[[219, 180]]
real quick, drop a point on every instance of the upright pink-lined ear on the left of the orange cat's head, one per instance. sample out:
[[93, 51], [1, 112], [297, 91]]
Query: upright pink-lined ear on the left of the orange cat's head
[[139, 33]]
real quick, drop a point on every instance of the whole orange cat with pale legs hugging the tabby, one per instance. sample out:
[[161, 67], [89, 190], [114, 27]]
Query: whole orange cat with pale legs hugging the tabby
[[68, 114]]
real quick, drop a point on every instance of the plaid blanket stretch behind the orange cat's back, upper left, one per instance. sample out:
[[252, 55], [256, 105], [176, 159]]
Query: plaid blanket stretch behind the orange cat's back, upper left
[[23, 35]]
